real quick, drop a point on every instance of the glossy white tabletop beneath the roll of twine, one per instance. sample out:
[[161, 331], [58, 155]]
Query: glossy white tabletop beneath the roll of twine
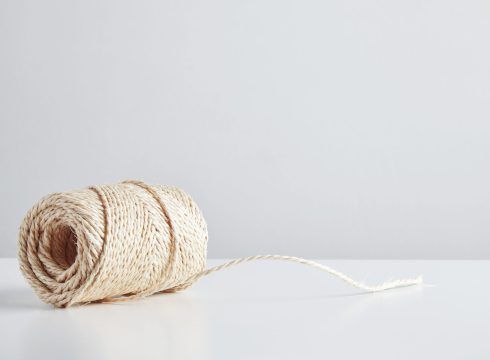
[[265, 310]]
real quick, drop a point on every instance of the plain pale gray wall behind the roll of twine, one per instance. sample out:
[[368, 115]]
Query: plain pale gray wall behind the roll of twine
[[325, 129]]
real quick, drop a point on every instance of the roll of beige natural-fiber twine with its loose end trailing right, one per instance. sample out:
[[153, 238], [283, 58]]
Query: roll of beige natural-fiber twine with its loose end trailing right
[[118, 242]]
